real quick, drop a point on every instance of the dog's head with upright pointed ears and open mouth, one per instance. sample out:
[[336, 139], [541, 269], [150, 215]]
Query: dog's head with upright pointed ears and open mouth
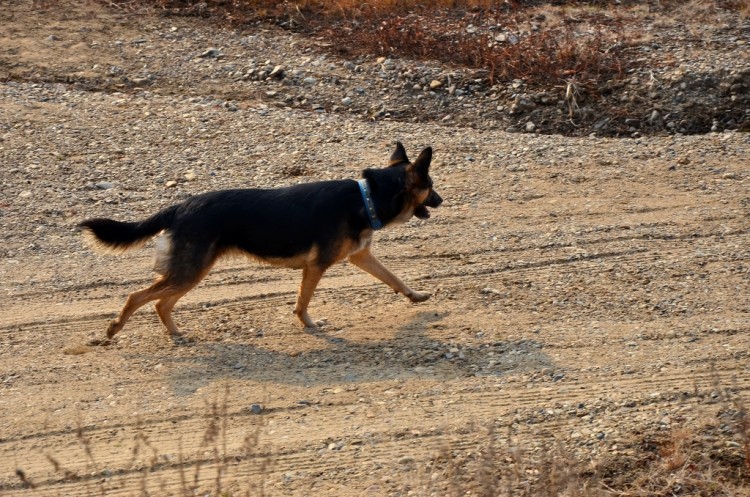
[[420, 191]]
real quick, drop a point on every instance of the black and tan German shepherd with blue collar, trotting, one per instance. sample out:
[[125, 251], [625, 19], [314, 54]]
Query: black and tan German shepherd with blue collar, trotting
[[309, 226]]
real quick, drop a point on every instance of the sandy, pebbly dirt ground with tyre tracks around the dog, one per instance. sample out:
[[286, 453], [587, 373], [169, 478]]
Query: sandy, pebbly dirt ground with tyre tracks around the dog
[[585, 290]]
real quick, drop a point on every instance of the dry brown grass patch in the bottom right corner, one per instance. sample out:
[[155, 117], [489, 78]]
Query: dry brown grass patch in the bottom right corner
[[707, 458]]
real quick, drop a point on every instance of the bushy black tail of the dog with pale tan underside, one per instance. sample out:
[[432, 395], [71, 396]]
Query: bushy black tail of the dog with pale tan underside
[[119, 236]]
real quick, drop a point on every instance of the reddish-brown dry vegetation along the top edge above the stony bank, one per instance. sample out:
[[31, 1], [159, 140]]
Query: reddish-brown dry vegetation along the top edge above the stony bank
[[582, 42]]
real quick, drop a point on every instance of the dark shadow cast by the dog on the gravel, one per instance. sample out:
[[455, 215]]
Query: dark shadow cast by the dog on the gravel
[[410, 353]]
